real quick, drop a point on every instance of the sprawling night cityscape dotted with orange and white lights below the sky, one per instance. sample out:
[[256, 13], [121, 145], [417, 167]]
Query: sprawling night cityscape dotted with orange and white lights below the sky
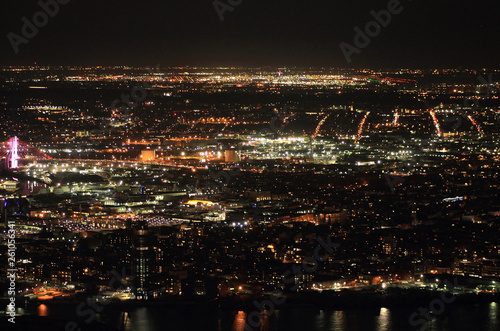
[[250, 191]]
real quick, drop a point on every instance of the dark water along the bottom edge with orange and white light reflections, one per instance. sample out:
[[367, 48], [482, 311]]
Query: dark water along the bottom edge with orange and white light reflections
[[476, 317]]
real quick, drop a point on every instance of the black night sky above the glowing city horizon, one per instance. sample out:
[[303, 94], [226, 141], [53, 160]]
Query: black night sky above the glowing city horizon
[[425, 34]]
